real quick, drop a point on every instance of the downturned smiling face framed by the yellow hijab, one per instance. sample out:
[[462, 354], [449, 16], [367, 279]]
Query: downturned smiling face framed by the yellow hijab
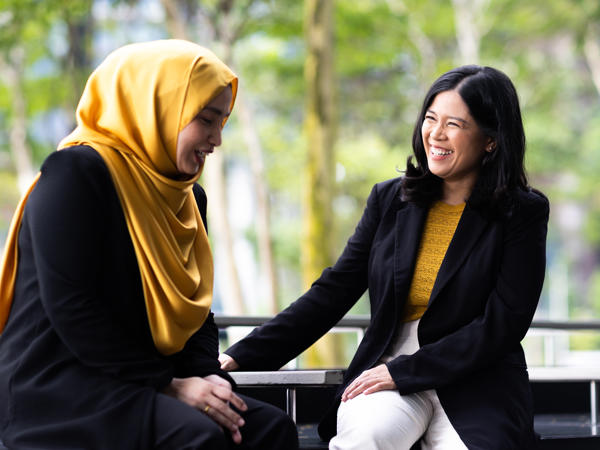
[[199, 137]]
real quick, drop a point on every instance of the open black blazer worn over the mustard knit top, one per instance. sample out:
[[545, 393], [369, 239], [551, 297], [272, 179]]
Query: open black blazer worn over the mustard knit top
[[481, 306]]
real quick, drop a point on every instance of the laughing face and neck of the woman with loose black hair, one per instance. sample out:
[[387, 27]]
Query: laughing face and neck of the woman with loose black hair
[[454, 143]]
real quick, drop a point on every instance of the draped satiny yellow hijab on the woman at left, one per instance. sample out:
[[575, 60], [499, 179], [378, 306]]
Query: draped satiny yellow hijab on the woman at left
[[132, 109]]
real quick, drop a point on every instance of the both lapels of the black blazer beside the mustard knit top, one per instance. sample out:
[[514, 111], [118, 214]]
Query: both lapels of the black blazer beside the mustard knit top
[[410, 220]]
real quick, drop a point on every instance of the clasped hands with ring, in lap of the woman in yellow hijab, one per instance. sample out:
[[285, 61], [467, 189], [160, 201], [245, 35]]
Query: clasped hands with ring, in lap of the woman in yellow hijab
[[213, 396]]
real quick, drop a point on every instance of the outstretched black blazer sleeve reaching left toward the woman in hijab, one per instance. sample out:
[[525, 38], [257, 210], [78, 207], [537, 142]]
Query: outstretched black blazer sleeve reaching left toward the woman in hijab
[[307, 319]]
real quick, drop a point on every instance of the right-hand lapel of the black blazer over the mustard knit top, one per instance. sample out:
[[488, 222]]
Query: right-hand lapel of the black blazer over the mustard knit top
[[469, 228]]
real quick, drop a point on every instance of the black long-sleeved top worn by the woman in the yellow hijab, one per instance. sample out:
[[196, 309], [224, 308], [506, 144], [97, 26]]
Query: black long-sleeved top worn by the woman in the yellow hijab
[[78, 366]]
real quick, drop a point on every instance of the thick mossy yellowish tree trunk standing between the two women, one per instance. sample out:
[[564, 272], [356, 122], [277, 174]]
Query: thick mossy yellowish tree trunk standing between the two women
[[317, 240]]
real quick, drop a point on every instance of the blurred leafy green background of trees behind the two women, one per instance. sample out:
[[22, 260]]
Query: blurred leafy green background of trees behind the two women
[[385, 55]]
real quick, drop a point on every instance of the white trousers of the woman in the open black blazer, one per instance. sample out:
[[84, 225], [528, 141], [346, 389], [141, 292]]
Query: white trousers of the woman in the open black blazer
[[387, 420]]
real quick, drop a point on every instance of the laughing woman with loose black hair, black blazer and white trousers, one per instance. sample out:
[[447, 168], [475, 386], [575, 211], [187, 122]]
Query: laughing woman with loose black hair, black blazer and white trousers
[[453, 256]]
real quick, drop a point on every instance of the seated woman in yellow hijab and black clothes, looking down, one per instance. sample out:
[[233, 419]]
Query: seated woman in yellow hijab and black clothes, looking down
[[107, 338]]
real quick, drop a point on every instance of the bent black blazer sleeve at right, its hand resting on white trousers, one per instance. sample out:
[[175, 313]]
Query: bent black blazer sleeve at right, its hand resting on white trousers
[[505, 320]]
